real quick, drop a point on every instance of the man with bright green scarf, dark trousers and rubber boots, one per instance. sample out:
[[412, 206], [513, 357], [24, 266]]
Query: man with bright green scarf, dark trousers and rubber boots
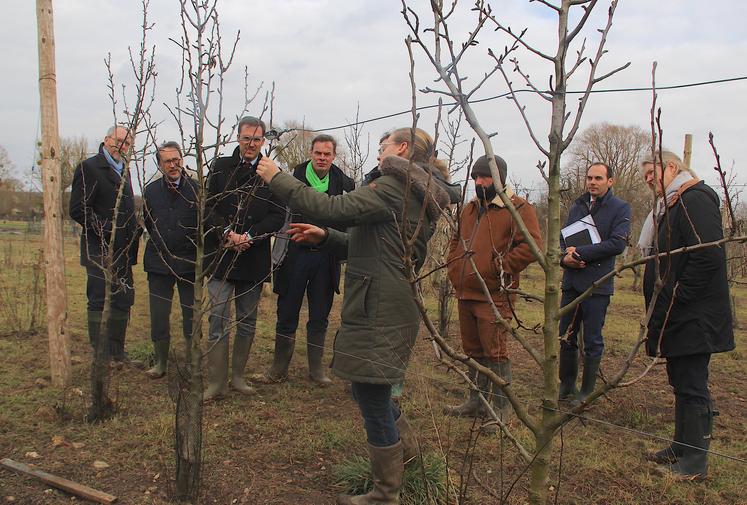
[[308, 270]]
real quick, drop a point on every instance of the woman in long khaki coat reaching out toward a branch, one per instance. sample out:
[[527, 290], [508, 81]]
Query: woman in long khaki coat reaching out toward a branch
[[380, 318]]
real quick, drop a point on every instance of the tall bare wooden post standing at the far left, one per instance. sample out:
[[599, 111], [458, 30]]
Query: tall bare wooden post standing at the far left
[[54, 258]]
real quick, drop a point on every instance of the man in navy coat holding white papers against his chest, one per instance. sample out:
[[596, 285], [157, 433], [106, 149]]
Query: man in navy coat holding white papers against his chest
[[595, 233]]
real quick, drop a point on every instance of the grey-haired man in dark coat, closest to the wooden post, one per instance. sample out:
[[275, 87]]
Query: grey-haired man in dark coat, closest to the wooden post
[[93, 199]]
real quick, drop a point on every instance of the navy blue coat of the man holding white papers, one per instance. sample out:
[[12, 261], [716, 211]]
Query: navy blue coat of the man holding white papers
[[612, 218]]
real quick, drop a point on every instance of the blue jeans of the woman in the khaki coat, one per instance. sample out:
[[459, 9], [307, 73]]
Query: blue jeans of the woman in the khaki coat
[[379, 412]]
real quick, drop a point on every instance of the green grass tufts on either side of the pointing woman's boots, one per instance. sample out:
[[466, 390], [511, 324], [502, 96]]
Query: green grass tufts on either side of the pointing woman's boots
[[423, 484]]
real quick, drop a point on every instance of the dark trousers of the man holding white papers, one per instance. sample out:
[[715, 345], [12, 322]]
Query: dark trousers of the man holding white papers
[[591, 312]]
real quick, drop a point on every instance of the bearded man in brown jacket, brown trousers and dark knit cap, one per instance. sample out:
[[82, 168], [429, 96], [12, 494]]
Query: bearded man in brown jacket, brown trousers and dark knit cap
[[500, 252]]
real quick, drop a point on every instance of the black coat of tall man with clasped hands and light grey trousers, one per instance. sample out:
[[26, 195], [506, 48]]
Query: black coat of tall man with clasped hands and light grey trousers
[[238, 199]]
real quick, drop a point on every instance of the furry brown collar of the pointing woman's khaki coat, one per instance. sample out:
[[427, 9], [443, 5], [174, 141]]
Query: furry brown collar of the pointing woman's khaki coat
[[422, 181]]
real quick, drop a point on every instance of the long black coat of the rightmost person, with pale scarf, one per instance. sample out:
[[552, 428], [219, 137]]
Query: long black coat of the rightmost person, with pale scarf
[[692, 314]]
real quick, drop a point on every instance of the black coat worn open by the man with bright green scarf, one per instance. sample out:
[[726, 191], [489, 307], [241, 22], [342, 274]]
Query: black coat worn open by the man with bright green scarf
[[338, 183]]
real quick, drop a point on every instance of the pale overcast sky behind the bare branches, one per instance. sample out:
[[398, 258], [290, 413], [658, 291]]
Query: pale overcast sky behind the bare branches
[[326, 56]]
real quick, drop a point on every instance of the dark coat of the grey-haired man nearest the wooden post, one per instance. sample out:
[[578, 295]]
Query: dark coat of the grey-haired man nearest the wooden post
[[92, 199]]
